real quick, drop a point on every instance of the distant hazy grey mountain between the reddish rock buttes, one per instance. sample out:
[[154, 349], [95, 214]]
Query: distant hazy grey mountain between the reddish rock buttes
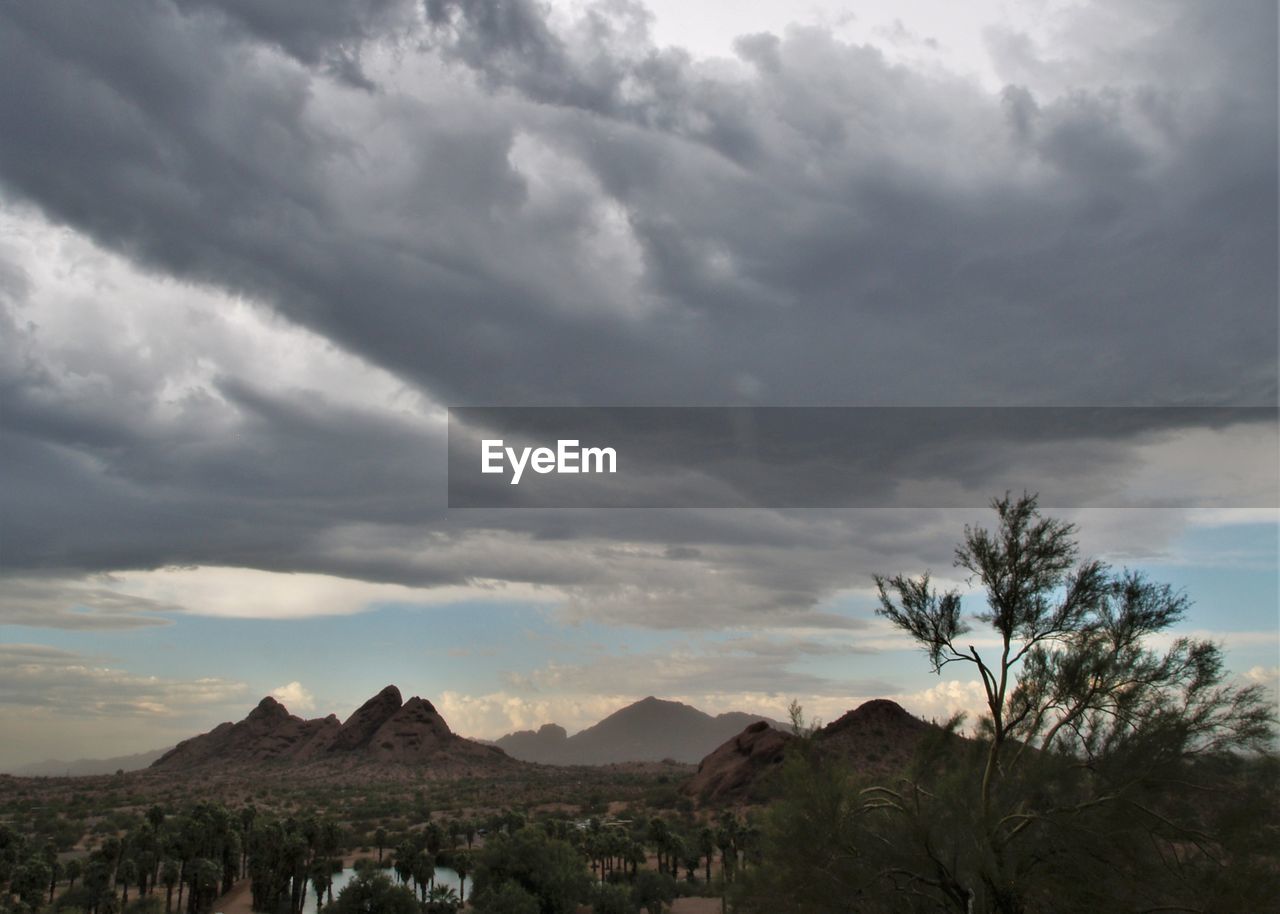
[[651, 730]]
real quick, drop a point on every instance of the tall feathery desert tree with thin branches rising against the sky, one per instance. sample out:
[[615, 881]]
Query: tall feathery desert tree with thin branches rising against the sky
[[1086, 725]]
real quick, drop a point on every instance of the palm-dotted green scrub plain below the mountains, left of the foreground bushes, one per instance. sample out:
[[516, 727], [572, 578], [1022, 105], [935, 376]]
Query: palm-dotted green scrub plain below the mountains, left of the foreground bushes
[[144, 858]]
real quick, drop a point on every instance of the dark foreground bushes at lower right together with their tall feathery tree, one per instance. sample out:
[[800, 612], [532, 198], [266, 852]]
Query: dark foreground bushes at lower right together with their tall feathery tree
[[1107, 775]]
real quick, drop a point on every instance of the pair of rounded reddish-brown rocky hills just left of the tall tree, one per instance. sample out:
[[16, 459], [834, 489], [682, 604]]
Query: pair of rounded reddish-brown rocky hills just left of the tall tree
[[879, 737]]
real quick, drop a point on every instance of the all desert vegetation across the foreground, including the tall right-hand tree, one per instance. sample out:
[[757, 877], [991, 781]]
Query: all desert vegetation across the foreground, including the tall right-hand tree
[[1117, 767]]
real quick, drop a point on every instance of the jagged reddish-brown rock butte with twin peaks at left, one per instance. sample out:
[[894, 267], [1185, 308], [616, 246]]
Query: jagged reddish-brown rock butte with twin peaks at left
[[385, 730]]
